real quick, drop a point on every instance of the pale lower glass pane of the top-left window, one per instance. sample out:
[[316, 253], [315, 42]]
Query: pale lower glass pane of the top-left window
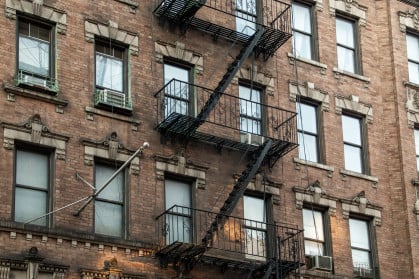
[[33, 55]]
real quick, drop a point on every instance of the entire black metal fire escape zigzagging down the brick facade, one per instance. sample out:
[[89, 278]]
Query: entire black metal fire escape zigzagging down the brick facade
[[214, 118]]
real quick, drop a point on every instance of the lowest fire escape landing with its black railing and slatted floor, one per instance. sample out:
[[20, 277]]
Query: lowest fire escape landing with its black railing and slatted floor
[[257, 248]]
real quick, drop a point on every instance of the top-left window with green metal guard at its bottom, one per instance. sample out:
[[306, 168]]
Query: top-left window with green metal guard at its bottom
[[35, 54]]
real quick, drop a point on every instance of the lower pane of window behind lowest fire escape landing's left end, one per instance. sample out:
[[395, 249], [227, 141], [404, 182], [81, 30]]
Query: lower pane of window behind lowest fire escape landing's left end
[[178, 228]]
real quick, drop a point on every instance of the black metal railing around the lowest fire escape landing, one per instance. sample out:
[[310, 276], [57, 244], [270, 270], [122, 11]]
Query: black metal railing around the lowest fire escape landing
[[238, 237]]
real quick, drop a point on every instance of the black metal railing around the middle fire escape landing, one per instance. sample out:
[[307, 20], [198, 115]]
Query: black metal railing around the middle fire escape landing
[[232, 118]]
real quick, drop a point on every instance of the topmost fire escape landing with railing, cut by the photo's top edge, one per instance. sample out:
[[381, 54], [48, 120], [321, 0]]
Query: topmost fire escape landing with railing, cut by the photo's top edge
[[273, 15]]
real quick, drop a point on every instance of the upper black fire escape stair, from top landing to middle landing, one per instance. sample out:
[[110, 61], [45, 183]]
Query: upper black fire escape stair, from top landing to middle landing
[[225, 81]]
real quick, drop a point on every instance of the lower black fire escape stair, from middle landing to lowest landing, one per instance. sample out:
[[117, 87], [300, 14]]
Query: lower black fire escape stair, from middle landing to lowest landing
[[238, 189]]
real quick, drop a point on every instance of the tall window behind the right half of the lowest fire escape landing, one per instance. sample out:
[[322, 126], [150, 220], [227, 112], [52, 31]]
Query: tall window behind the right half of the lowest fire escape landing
[[255, 226]]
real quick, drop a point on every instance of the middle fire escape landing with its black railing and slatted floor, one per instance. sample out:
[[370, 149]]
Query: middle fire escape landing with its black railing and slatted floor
[[178, 104]]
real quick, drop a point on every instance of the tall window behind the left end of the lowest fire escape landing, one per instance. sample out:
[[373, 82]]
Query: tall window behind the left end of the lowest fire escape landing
[[179, 220]]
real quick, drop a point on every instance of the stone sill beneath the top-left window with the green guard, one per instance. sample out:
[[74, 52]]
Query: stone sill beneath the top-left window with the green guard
[[13, 90]]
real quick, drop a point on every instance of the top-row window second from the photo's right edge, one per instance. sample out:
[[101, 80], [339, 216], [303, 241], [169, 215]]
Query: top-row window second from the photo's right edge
[[347, 45]]
